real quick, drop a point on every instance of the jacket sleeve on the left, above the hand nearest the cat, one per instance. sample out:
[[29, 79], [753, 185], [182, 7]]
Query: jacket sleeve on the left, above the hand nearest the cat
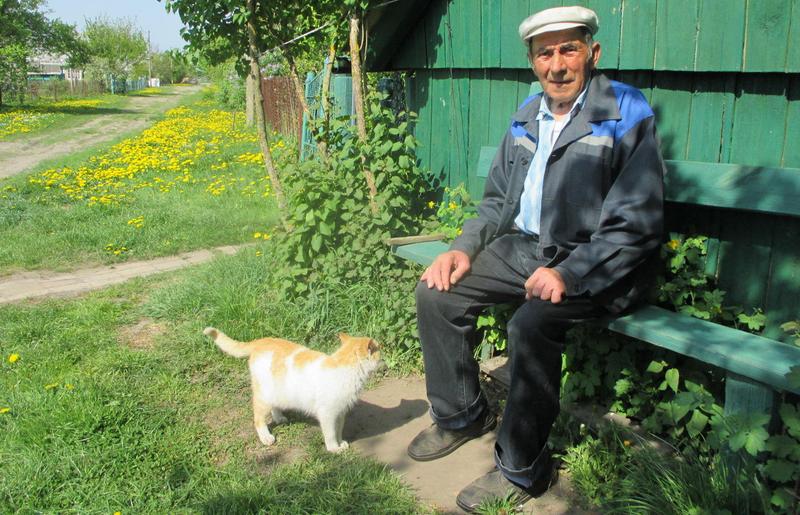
[[477, 232]]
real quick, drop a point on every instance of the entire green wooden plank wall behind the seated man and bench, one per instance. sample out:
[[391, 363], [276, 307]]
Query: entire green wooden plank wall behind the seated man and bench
[[723, 77]]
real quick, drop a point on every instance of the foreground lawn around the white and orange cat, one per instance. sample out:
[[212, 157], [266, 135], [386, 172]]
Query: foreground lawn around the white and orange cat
[[118, 403]]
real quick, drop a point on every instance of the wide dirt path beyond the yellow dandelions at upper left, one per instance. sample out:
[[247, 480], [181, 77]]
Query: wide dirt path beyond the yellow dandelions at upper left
[[22, 155]]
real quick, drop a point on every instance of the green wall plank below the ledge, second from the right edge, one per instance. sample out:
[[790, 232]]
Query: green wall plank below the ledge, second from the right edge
[[759, 120]]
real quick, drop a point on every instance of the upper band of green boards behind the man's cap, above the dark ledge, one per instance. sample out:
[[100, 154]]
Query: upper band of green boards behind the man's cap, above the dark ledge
[[677, 35]]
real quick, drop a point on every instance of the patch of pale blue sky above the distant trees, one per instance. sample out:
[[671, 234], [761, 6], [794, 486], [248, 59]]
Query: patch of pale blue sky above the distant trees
[[149, 15]]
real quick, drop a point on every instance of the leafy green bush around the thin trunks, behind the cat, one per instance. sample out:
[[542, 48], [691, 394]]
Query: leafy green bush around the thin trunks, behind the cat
[[335, 240]]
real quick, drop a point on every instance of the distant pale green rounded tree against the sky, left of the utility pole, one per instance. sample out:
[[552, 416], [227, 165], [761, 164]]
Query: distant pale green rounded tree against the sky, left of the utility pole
[[115, 47]]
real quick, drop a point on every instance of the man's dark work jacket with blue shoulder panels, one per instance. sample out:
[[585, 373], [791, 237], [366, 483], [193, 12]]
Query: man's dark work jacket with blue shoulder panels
[[603, 193]]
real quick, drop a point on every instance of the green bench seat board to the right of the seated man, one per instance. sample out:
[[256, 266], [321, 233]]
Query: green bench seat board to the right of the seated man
[[752, 356]]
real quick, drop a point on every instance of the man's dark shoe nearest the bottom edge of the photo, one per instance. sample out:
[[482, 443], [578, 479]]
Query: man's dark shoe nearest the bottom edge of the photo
[[495, 486]]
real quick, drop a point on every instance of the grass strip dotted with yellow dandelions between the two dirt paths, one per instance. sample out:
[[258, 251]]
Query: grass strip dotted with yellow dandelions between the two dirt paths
[[182, 208]]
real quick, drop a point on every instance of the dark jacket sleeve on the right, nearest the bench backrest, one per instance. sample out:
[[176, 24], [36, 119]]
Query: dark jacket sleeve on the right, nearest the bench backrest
[[631, 218]]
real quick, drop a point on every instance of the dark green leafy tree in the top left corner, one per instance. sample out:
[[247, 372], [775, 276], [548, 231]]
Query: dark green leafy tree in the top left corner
[[24, 31]]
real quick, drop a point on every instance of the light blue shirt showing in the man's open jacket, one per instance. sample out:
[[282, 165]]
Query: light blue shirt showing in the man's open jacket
[[530, 205]]
